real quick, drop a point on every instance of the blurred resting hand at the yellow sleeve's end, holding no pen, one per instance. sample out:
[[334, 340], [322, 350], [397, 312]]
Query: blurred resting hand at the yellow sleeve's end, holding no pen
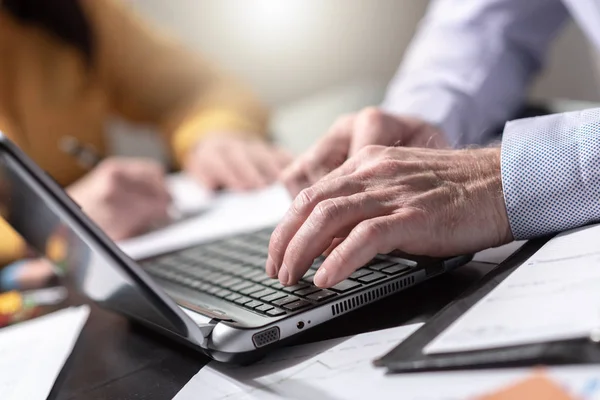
[[234, 162]]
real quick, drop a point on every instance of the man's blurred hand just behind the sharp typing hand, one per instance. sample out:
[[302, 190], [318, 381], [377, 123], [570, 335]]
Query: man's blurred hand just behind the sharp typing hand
[[351, 133]]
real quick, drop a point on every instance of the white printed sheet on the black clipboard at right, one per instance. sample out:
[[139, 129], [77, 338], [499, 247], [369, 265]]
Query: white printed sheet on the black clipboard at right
[[554, 295]]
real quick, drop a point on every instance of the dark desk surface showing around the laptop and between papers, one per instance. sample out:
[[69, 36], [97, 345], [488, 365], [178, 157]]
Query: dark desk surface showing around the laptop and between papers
[[115, 359]]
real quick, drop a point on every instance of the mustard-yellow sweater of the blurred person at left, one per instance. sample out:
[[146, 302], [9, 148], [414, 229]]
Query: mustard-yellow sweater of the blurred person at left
[[47, 92]]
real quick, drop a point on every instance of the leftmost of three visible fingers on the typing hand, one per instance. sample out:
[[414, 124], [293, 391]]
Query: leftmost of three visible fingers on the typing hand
[[299, 211]]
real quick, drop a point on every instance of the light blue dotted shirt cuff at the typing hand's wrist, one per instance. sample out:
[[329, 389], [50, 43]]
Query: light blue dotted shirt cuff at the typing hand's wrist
[[551, 172]]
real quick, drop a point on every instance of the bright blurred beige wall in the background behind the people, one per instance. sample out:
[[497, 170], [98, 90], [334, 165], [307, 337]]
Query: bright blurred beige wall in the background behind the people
[[287, 49]]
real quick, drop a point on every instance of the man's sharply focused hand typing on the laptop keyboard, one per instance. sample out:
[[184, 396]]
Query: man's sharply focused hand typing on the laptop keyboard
[[421, 201]]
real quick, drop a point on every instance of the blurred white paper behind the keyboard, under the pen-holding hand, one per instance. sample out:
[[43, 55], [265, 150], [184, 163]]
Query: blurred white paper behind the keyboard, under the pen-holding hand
[[223, 214]]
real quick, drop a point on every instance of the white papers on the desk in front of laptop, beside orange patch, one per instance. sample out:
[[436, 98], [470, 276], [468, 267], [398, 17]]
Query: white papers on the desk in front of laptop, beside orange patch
[[341, 369]]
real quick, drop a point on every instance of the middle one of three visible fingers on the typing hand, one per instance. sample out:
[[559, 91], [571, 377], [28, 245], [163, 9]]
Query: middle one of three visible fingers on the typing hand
[[331, 218]]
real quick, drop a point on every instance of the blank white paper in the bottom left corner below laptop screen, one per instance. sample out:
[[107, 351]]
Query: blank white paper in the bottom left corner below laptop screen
[[32, 353]]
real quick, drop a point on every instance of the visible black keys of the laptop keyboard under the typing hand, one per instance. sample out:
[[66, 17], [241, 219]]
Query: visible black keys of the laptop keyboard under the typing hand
[[234, 270]]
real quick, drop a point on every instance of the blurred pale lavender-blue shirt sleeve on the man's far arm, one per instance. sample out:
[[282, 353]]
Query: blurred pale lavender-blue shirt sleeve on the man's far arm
[[470, 63]]
